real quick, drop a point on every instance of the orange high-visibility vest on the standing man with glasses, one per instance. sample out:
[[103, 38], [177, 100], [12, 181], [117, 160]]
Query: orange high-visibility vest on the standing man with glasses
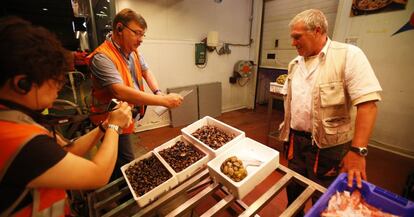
[[103, 96]]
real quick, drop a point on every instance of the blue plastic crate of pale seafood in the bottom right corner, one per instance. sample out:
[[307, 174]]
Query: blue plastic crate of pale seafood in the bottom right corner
[[375, 196]]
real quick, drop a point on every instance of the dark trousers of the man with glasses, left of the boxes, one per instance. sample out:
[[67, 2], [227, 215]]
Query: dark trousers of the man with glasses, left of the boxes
[[125, 155]]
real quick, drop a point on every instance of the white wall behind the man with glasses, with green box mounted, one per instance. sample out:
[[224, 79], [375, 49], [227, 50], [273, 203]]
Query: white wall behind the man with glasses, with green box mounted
[[174, 26]]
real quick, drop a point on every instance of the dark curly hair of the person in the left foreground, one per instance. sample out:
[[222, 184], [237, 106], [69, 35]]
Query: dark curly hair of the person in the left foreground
[[32, 51]]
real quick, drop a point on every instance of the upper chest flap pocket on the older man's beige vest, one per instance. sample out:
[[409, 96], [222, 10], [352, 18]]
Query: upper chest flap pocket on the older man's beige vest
[[332, 94]]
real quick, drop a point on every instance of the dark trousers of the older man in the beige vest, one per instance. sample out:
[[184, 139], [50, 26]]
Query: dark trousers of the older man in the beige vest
[[319, 165]]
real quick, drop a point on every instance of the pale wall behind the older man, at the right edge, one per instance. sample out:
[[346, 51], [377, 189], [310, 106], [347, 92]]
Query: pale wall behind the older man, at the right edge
[[393, 61]]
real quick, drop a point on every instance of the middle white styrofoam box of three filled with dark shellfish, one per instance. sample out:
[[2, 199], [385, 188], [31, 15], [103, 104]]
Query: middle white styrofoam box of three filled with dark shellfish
[[193, 168]]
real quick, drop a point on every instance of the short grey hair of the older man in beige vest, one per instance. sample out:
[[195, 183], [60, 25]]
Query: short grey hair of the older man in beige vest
[[312, 18]]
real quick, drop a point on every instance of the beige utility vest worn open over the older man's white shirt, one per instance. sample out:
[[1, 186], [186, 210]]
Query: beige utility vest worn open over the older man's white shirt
[[332, 111]]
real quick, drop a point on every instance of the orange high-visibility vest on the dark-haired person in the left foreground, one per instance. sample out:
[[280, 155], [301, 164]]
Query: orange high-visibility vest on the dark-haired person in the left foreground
[[16, 129]]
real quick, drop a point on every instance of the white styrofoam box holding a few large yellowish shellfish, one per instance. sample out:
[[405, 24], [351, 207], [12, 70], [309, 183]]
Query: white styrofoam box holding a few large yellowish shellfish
[[245, 150]]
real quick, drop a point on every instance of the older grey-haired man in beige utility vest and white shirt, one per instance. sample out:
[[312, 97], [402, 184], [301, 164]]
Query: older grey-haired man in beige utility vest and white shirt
[[330, 105]]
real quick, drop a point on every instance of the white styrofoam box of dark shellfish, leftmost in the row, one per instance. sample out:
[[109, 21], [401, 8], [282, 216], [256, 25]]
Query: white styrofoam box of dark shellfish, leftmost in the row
[[155, 192]]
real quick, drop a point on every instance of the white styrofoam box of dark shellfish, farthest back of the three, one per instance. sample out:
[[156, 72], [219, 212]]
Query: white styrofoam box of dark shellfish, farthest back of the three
[[207, 120]]
